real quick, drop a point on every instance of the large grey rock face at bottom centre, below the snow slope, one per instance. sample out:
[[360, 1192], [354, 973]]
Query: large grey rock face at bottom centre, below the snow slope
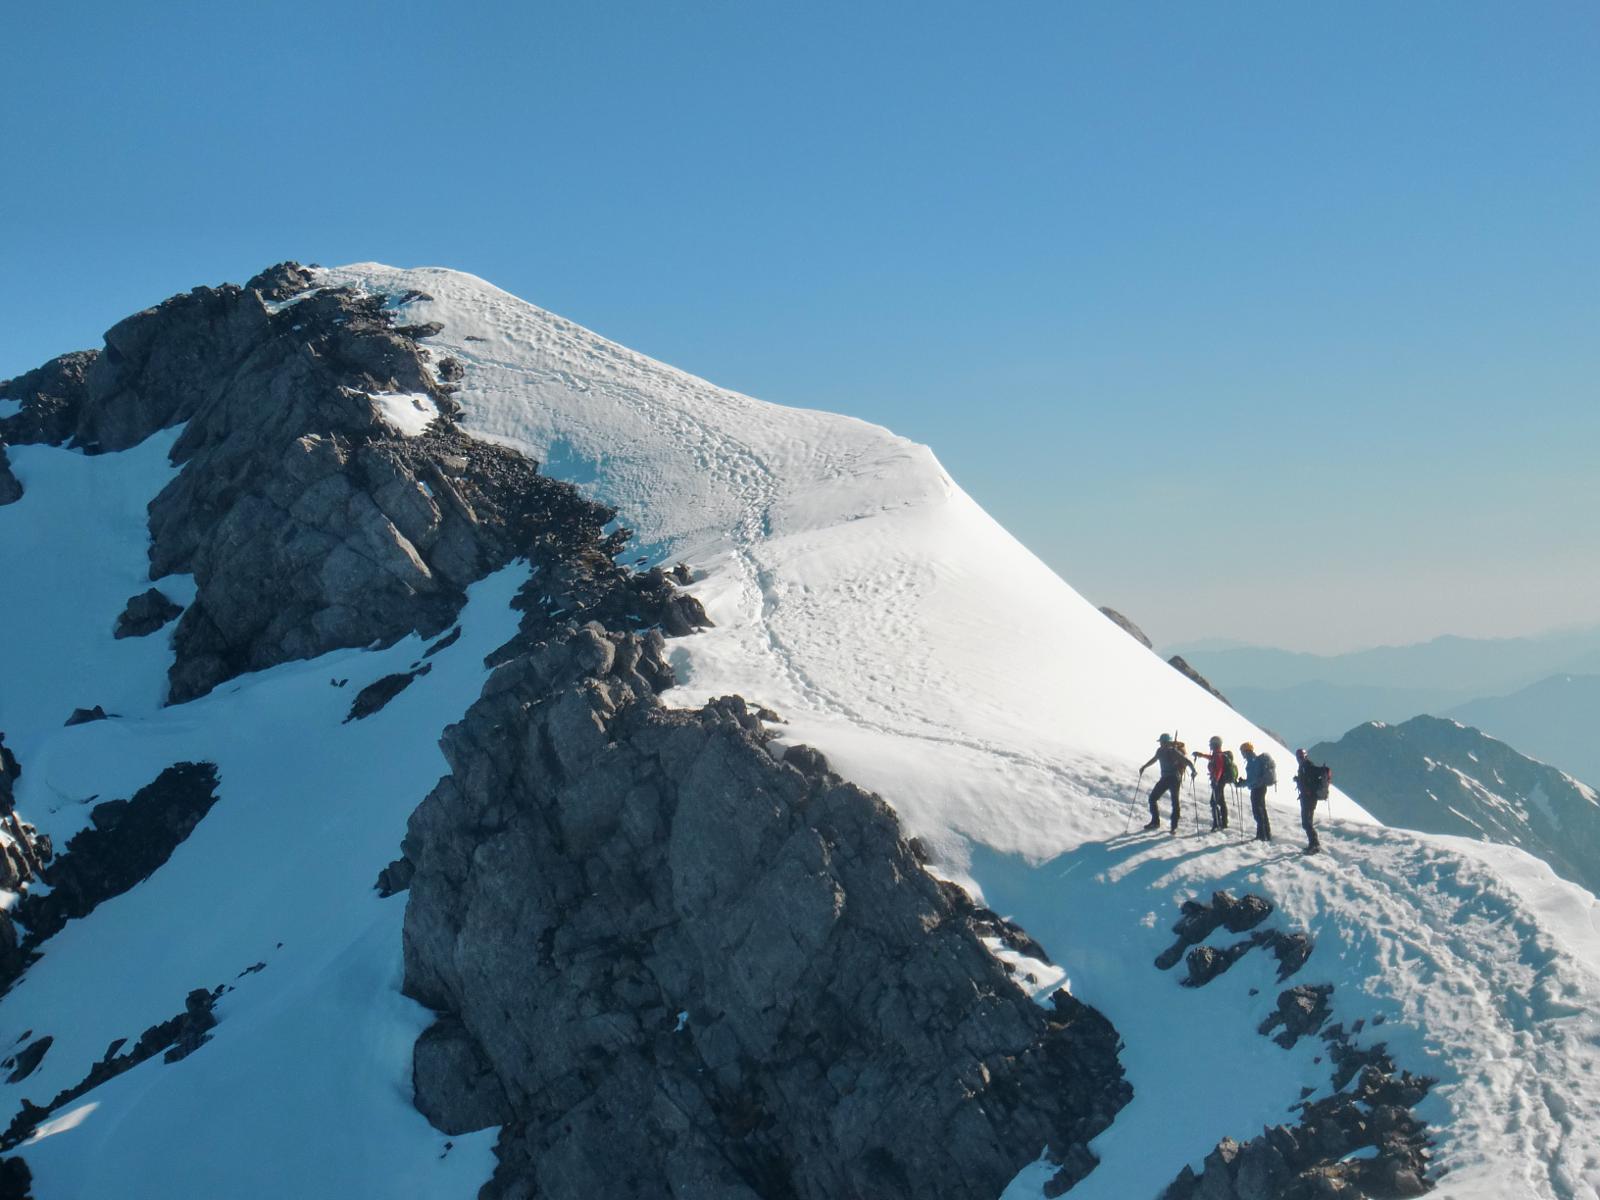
[[666, 961]]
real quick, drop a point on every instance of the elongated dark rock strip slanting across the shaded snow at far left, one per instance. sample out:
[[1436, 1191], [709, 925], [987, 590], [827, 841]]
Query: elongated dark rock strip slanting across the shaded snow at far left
[[127, 842]]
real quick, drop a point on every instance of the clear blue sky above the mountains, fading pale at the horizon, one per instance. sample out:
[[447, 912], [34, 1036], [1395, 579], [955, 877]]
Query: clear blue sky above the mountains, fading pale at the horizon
[[1260, 321]]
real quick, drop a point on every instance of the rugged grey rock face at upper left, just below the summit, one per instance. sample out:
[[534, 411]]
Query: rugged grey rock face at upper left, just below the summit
[[308, 522]]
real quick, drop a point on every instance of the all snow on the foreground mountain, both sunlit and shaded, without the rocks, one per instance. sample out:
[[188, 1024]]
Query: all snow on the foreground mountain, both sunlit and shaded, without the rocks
[[870, 602]]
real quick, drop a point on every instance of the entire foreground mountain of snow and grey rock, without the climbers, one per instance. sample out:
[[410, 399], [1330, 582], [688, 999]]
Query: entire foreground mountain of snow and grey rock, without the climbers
[[1398, 1014]]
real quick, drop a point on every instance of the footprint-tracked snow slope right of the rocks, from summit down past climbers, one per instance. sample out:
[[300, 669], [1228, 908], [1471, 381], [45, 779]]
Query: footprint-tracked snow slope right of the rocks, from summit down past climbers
[[866, 598]]
